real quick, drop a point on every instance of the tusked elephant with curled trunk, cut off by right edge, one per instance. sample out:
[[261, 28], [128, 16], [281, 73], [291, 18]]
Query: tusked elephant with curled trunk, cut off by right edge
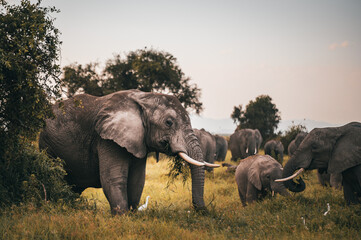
[[335, 150]]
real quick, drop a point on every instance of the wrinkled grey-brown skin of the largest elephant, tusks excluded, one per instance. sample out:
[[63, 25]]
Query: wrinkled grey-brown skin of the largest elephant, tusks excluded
[[104, 142]]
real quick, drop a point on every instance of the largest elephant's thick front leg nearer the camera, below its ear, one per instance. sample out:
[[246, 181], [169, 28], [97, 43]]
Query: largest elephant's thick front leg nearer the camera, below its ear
[[114, 167]]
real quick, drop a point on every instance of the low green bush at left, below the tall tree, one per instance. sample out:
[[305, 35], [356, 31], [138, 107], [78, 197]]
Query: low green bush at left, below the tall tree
[[32, 176]]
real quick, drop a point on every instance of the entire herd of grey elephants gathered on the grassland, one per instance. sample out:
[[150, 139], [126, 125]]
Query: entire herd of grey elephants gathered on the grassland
[[104, 142]]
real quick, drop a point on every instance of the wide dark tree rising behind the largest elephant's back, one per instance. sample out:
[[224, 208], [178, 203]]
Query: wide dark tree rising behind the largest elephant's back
[[144, 69]]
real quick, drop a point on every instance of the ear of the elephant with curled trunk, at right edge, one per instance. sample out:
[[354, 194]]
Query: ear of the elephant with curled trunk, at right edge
[[346, 152]]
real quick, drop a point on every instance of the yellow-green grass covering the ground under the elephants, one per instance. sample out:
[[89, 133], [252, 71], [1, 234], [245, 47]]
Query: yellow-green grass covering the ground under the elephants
[[170, 214]]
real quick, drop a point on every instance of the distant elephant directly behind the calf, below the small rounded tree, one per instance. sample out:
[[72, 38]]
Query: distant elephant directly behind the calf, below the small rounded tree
[[244, 143]]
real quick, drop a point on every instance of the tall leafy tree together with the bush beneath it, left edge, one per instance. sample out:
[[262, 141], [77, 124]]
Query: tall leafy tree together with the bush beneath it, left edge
[[29, 49]]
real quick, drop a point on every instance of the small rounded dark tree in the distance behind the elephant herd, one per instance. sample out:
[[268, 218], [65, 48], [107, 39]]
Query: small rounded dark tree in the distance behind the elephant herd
[[260, 114]]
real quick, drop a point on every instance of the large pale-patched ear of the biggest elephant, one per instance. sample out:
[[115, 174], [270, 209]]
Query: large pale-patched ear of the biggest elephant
[[120, 120]]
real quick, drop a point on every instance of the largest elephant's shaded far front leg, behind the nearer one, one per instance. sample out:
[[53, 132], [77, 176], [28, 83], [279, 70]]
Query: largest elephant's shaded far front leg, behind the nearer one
[[136, 179]]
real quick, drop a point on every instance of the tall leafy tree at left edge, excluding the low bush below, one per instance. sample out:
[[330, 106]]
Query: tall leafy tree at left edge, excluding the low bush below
[[29, 48]]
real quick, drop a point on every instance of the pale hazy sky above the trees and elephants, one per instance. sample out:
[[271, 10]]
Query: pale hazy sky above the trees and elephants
[[305, 54]]
